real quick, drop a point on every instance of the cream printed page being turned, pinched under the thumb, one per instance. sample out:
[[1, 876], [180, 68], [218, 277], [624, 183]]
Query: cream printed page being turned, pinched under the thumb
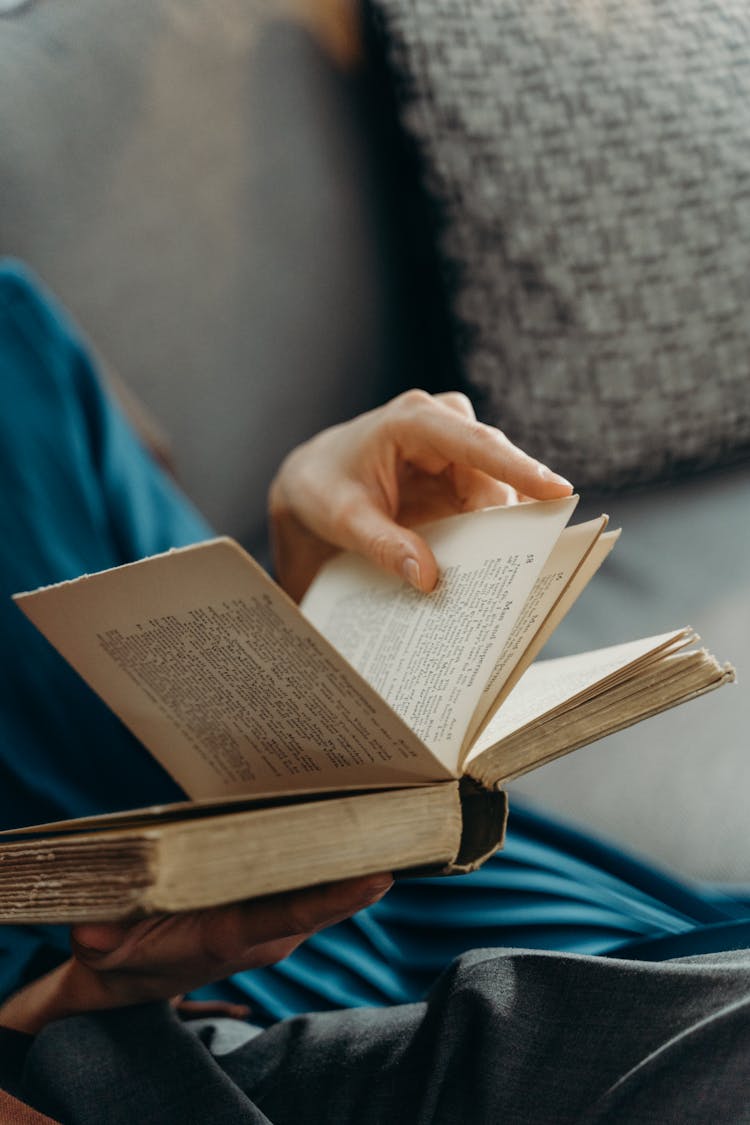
[[430, 655]]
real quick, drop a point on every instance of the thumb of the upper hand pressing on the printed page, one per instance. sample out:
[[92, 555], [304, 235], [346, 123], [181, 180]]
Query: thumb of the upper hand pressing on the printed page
[[393, 548]]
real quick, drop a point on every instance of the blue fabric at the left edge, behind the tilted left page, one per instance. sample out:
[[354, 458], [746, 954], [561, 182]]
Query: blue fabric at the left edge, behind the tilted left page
[[78, 494]]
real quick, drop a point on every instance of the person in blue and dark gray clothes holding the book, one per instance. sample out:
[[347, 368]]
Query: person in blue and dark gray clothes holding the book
[[92, 1030]]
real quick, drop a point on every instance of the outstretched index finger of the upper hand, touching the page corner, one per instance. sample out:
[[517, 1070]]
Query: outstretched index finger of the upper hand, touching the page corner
[[433, 436]]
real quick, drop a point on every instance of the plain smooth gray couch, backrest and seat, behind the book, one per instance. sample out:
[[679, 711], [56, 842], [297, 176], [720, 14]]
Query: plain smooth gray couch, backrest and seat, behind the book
[[233, 219]]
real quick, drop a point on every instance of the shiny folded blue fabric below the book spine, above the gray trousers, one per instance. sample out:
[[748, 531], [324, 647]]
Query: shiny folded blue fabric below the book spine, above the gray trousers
[[552, 888]]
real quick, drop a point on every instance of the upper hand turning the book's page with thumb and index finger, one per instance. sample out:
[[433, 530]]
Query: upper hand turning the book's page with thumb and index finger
[[366, 485]]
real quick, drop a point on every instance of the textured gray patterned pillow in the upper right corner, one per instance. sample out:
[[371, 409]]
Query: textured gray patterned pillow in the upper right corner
[[591, 164]]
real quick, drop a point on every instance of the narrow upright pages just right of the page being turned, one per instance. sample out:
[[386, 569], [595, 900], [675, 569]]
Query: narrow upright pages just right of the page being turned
[[564, 578]]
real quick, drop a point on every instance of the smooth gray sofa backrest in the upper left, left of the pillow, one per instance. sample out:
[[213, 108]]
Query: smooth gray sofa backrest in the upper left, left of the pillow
[[193, 182]]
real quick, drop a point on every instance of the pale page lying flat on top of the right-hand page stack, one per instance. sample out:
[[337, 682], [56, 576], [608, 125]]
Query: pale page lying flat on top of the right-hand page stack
[[552, 686]]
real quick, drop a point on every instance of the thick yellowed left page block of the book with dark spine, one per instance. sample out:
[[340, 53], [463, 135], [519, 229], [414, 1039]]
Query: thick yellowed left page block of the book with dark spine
[[115, 875]]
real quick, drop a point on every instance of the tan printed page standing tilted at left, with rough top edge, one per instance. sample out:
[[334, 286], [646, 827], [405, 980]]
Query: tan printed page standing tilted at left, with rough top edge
[[218, 673]]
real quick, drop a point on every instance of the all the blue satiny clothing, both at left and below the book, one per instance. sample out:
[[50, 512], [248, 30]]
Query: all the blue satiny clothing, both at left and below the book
[[79, 493]]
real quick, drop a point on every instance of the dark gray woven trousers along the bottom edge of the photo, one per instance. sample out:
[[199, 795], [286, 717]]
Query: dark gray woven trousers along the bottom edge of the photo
[[507, 1037]]
